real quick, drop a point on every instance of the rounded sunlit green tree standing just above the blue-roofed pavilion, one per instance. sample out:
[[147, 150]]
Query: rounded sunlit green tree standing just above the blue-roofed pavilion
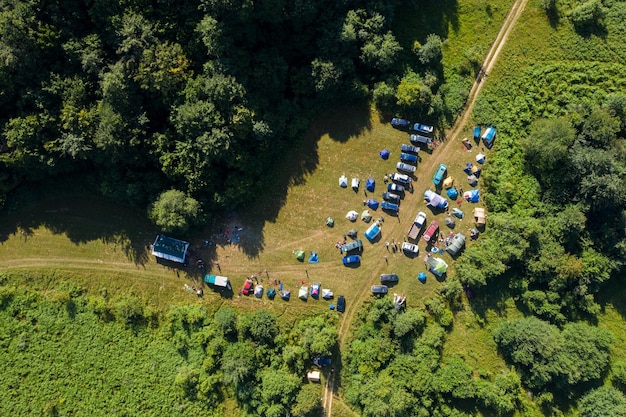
[[174, 211]]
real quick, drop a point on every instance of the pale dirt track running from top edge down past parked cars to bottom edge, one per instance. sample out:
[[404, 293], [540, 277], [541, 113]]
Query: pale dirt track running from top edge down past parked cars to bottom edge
[[442, 152]]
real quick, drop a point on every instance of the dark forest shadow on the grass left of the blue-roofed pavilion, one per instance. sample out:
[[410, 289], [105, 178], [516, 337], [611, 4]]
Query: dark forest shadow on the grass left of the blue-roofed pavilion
[[80, 215]]
